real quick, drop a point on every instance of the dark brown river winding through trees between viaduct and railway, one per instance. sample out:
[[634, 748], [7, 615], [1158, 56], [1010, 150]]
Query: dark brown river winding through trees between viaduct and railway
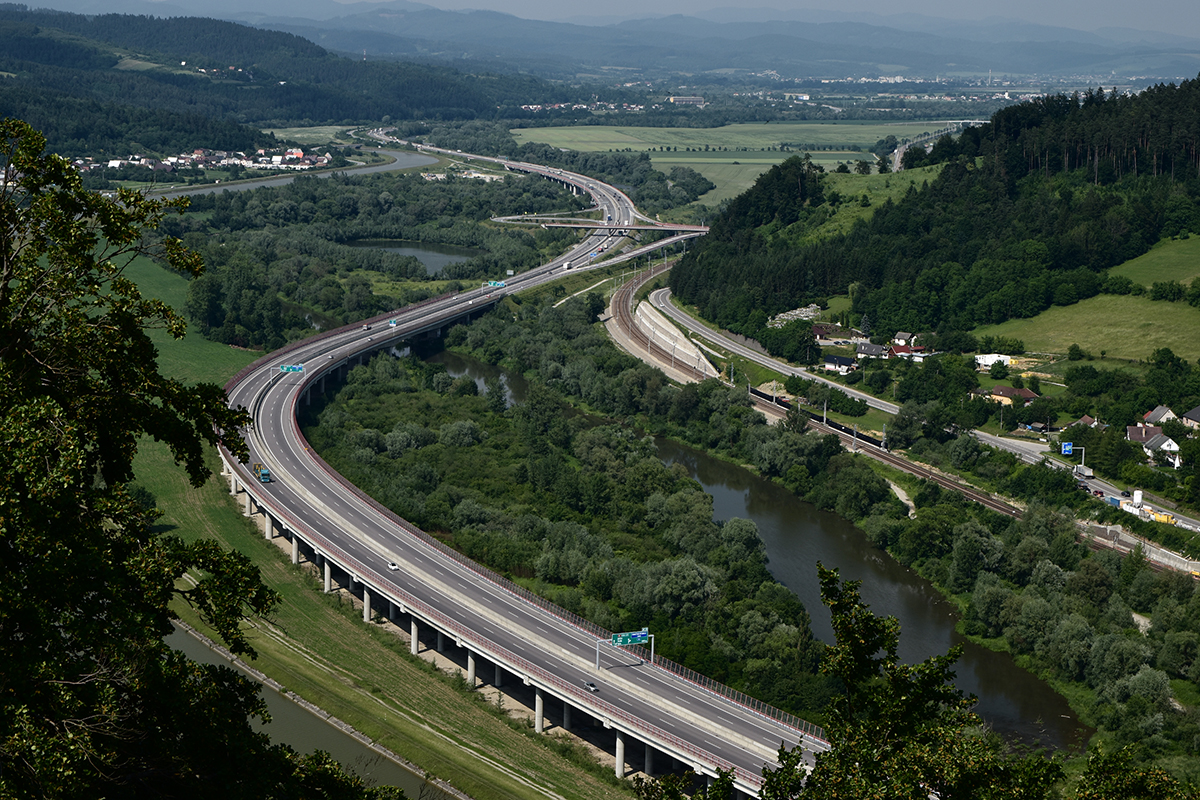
[[1013, 701]]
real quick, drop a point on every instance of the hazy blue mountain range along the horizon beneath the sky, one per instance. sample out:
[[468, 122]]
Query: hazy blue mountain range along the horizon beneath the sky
[[814, 45]]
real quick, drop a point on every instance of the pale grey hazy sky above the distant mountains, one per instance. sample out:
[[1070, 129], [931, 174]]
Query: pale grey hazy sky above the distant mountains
[[1171, 16]]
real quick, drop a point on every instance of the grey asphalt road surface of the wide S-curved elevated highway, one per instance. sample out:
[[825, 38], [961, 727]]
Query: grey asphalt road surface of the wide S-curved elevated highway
[[703, 729]]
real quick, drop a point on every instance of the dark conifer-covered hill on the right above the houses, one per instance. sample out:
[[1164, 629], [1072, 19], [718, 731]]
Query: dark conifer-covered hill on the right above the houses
[[1029, 212]]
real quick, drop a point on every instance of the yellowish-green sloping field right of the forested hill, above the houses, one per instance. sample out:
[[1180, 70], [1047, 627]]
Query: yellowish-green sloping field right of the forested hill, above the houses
[[1124, 327]]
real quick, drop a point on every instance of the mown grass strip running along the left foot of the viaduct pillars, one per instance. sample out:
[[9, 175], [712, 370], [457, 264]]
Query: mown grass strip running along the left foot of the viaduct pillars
[[317, 646]]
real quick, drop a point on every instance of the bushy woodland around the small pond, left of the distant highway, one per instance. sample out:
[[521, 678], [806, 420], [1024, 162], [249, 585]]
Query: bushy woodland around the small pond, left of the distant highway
[[279, 256]]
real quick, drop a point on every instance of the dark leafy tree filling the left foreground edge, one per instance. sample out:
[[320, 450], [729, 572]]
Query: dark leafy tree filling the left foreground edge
[[93, 703]]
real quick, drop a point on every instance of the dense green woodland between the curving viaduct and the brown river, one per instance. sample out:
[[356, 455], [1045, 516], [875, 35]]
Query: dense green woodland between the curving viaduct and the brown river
[[587, 514]]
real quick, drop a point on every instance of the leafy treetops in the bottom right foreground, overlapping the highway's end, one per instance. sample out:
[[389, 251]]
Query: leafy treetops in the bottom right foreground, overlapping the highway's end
[[903, 731]]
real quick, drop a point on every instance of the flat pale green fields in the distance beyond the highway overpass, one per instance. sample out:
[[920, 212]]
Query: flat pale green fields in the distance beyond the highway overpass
[[736, 154]]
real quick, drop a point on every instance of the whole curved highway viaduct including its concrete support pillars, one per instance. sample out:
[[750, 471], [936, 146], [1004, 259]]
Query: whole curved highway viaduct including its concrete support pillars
[[674, 714]]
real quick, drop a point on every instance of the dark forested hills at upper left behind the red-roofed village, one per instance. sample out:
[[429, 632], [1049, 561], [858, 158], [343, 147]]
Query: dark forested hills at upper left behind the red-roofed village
[[225, 71]]
